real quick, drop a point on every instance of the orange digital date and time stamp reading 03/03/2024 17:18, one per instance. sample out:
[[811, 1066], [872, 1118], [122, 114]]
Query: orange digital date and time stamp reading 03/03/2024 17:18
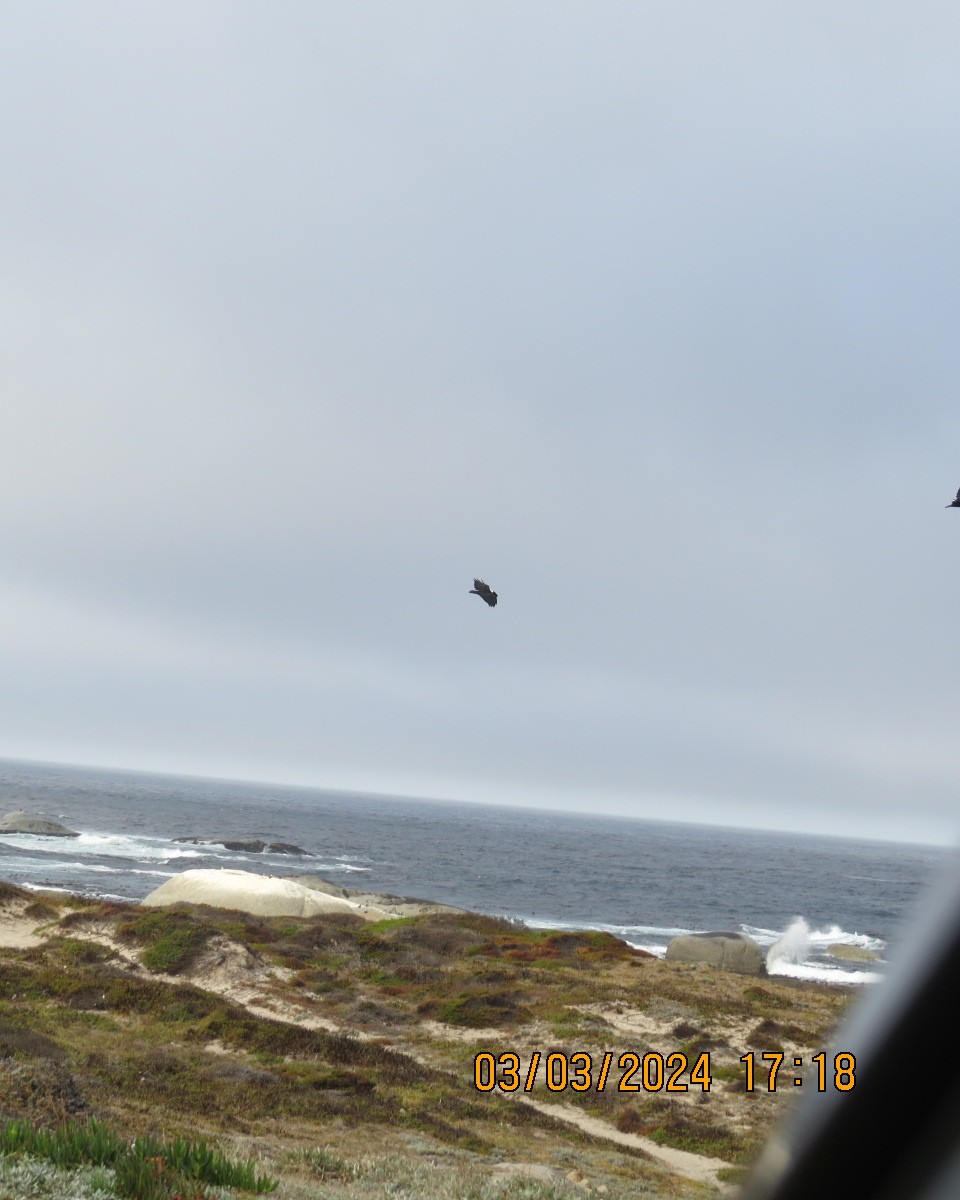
[[655, 1072]]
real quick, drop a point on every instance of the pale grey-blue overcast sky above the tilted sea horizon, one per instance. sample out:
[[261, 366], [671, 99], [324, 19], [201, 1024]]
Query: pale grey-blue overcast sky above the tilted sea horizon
[[645, 313]]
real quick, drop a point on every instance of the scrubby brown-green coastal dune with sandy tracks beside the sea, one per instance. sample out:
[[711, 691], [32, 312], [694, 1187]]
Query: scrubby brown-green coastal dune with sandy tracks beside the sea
[[337, 1058]]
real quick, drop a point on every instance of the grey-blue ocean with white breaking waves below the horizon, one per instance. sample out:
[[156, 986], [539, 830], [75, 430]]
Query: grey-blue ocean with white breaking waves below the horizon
[[645, 881]]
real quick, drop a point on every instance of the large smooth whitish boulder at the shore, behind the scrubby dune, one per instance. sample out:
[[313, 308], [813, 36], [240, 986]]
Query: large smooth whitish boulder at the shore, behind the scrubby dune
[[265, 896]]
